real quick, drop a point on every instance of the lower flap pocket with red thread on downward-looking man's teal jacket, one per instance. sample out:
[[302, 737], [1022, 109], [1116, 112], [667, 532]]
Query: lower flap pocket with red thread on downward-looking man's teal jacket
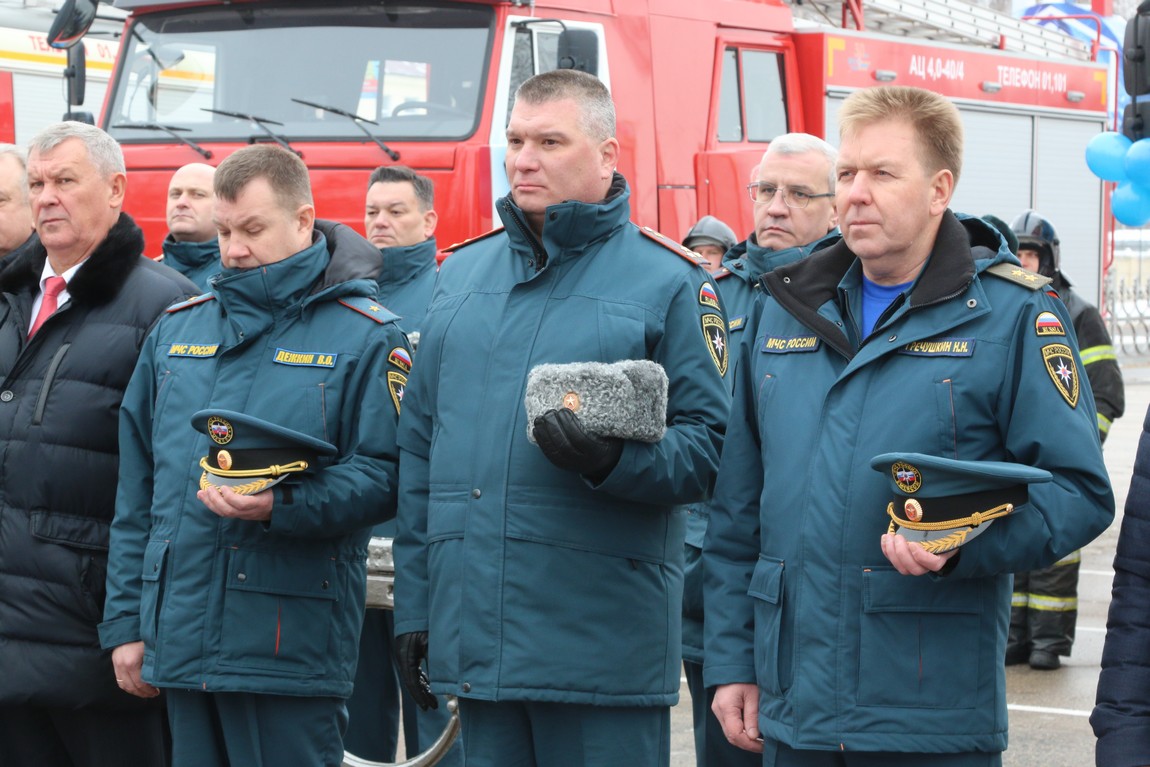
[[278, 612]]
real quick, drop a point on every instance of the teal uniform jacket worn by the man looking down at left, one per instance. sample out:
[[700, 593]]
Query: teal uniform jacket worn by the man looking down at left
[[233, 605]]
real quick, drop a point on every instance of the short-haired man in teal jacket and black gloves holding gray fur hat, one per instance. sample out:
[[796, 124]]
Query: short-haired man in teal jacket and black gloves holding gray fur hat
[[539, 562]]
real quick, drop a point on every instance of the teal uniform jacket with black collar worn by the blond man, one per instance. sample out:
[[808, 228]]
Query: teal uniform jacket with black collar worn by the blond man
[[848, 654]]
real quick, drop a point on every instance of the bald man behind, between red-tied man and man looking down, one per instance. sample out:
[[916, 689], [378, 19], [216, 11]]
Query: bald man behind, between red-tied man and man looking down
[[191, 247]]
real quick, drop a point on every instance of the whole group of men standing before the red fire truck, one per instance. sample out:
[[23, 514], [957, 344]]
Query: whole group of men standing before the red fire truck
[[861, 421]]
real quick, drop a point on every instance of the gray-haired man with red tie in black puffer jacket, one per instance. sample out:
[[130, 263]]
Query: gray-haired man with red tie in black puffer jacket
[[75, 305]]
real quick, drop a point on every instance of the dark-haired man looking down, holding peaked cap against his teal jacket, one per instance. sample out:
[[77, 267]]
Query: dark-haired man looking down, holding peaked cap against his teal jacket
[[258, 448]]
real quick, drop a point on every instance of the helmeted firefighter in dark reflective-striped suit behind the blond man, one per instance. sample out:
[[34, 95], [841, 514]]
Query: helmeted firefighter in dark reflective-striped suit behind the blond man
[[1045, 603]]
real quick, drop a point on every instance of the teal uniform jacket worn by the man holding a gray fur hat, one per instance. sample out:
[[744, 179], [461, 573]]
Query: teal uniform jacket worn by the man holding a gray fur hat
[[533, 582]]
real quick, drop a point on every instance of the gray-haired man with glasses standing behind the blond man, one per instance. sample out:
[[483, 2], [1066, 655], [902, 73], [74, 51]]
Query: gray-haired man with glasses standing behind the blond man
[[793, 189]]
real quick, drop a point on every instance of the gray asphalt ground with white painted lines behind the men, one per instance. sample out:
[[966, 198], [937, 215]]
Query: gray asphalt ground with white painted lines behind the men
[[1048, 710]]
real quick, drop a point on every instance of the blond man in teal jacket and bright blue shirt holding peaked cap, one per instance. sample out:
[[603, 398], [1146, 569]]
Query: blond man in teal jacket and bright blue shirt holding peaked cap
[[909, 428]]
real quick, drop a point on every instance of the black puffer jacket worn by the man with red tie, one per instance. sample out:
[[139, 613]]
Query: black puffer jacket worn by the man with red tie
[[59, 411]]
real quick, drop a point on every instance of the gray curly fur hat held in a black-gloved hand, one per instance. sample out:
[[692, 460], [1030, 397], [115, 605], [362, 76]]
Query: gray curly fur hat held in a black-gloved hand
[[625, 400]]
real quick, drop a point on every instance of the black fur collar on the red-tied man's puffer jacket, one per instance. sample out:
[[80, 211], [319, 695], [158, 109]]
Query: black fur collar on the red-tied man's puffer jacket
[[97, 282]]
